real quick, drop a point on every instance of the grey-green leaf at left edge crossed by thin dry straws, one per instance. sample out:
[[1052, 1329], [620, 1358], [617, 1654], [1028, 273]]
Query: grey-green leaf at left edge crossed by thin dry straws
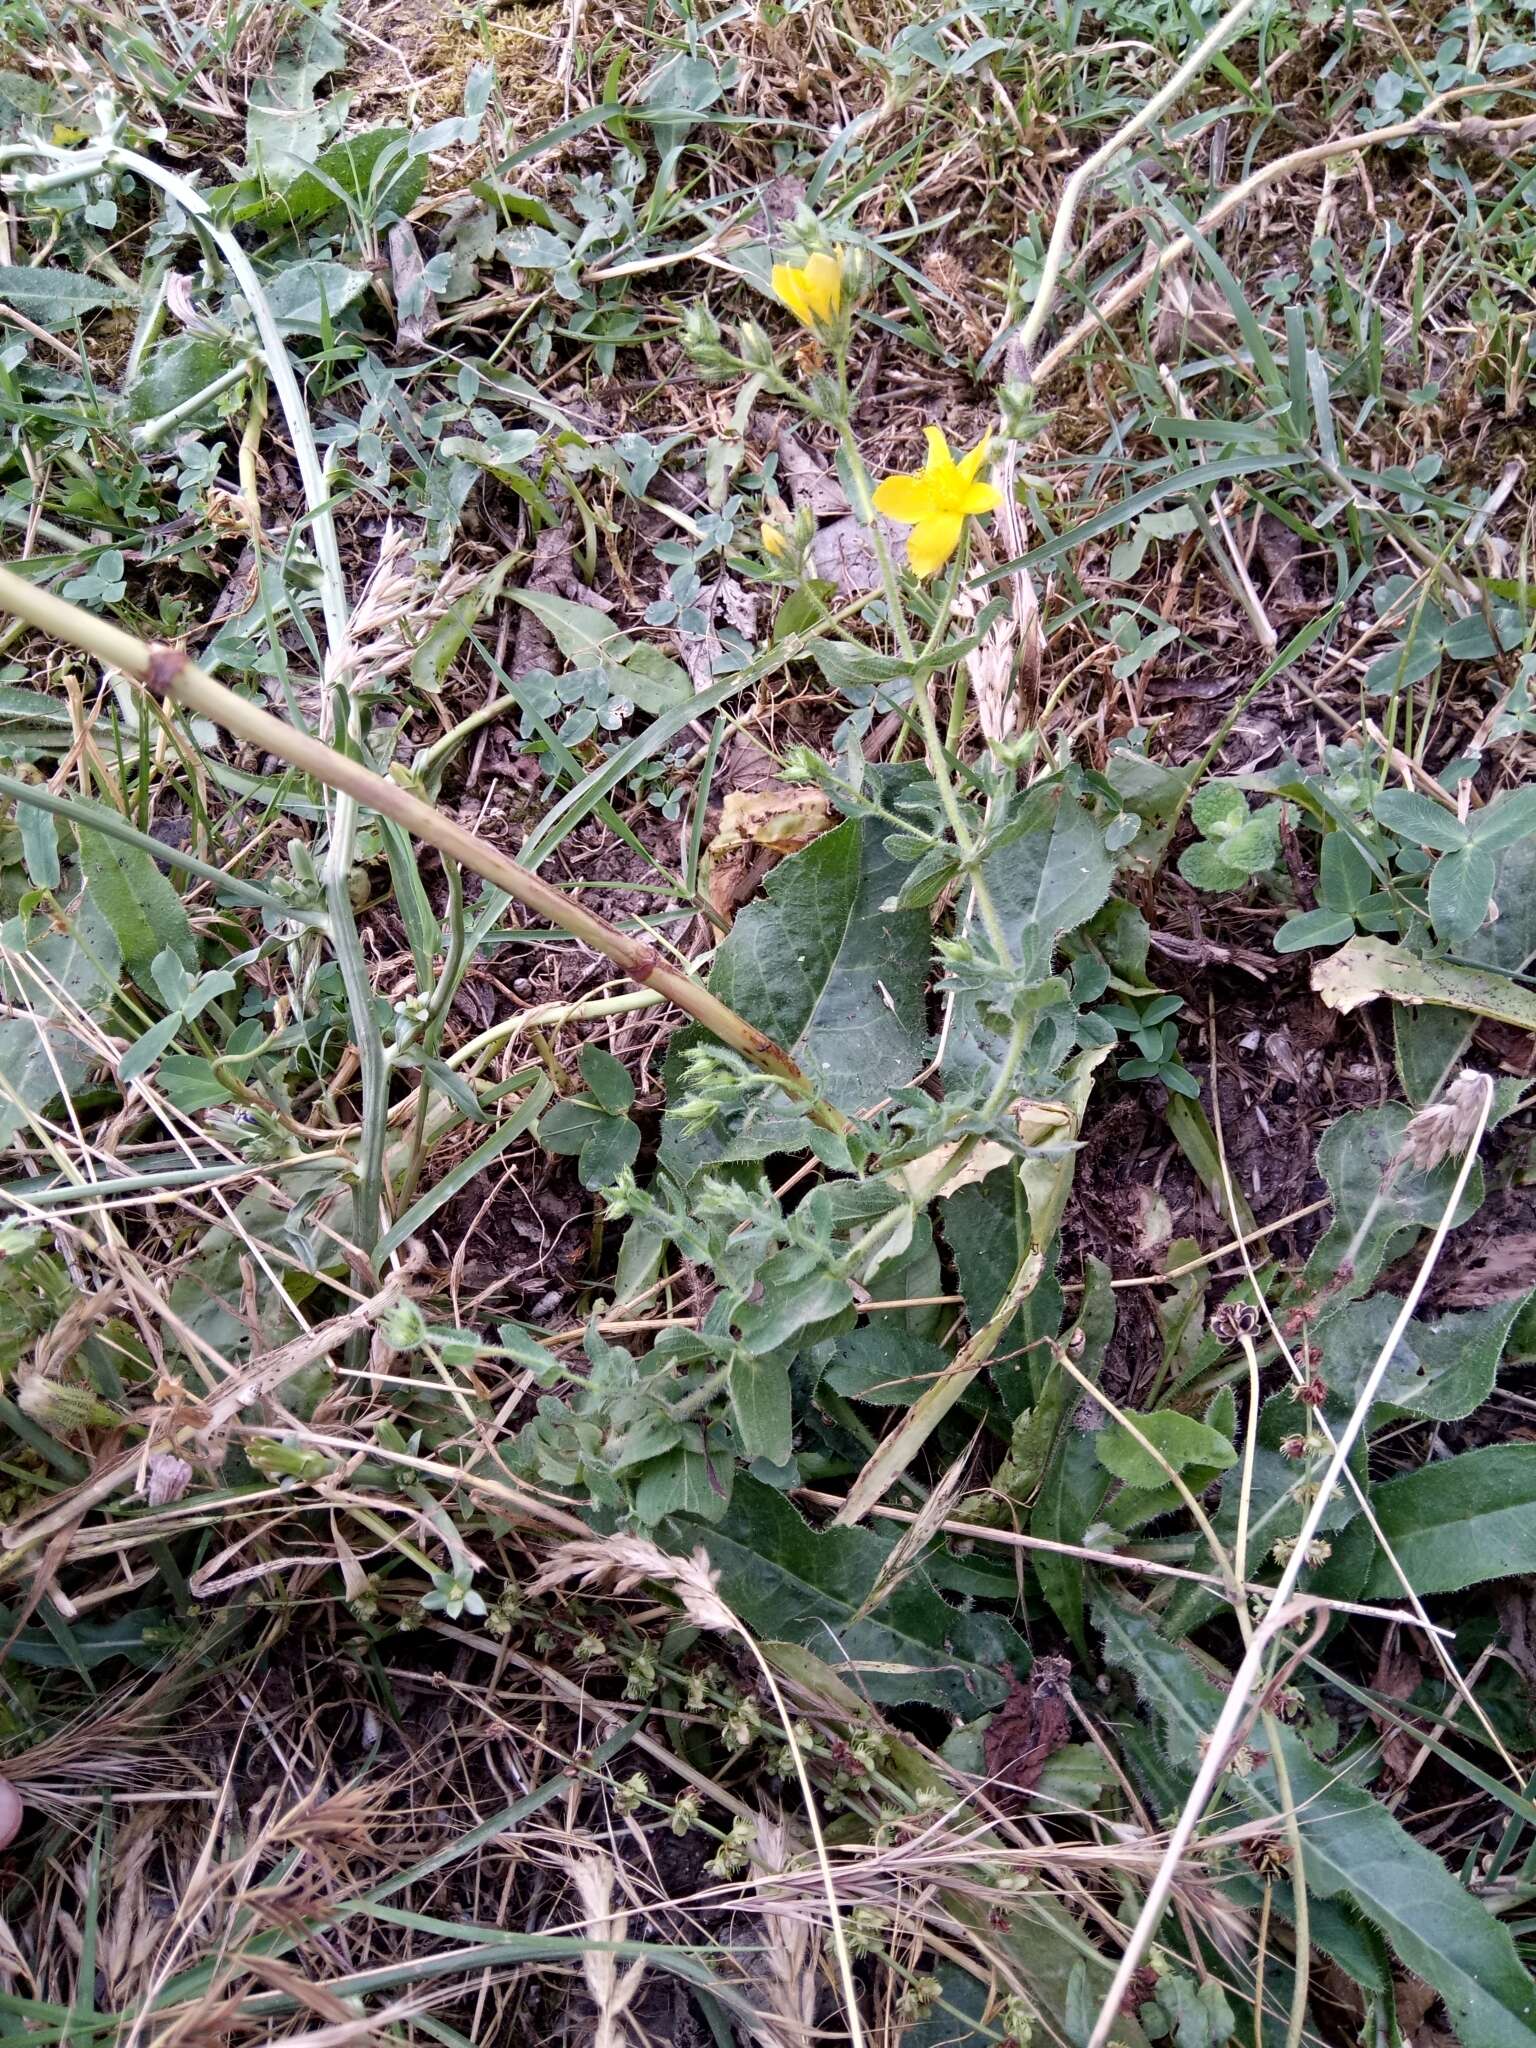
[[40, 1052]]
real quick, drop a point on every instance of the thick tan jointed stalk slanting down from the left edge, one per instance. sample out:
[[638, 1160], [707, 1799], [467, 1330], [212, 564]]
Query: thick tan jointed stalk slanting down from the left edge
[[165, 673]]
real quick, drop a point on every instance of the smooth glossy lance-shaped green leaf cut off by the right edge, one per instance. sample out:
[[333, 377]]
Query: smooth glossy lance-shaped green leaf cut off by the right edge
[[1459, 1523]]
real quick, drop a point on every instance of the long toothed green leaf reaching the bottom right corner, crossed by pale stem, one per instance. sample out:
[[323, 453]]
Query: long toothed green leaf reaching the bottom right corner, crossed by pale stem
[[1353, 1846]]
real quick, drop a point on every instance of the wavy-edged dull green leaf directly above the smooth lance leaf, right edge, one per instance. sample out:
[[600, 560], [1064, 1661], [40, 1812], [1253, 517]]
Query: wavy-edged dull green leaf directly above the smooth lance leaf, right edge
[[1443, 1367]]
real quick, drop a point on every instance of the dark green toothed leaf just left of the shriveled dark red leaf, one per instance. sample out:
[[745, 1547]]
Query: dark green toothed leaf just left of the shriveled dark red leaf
[[806, 1586]]
